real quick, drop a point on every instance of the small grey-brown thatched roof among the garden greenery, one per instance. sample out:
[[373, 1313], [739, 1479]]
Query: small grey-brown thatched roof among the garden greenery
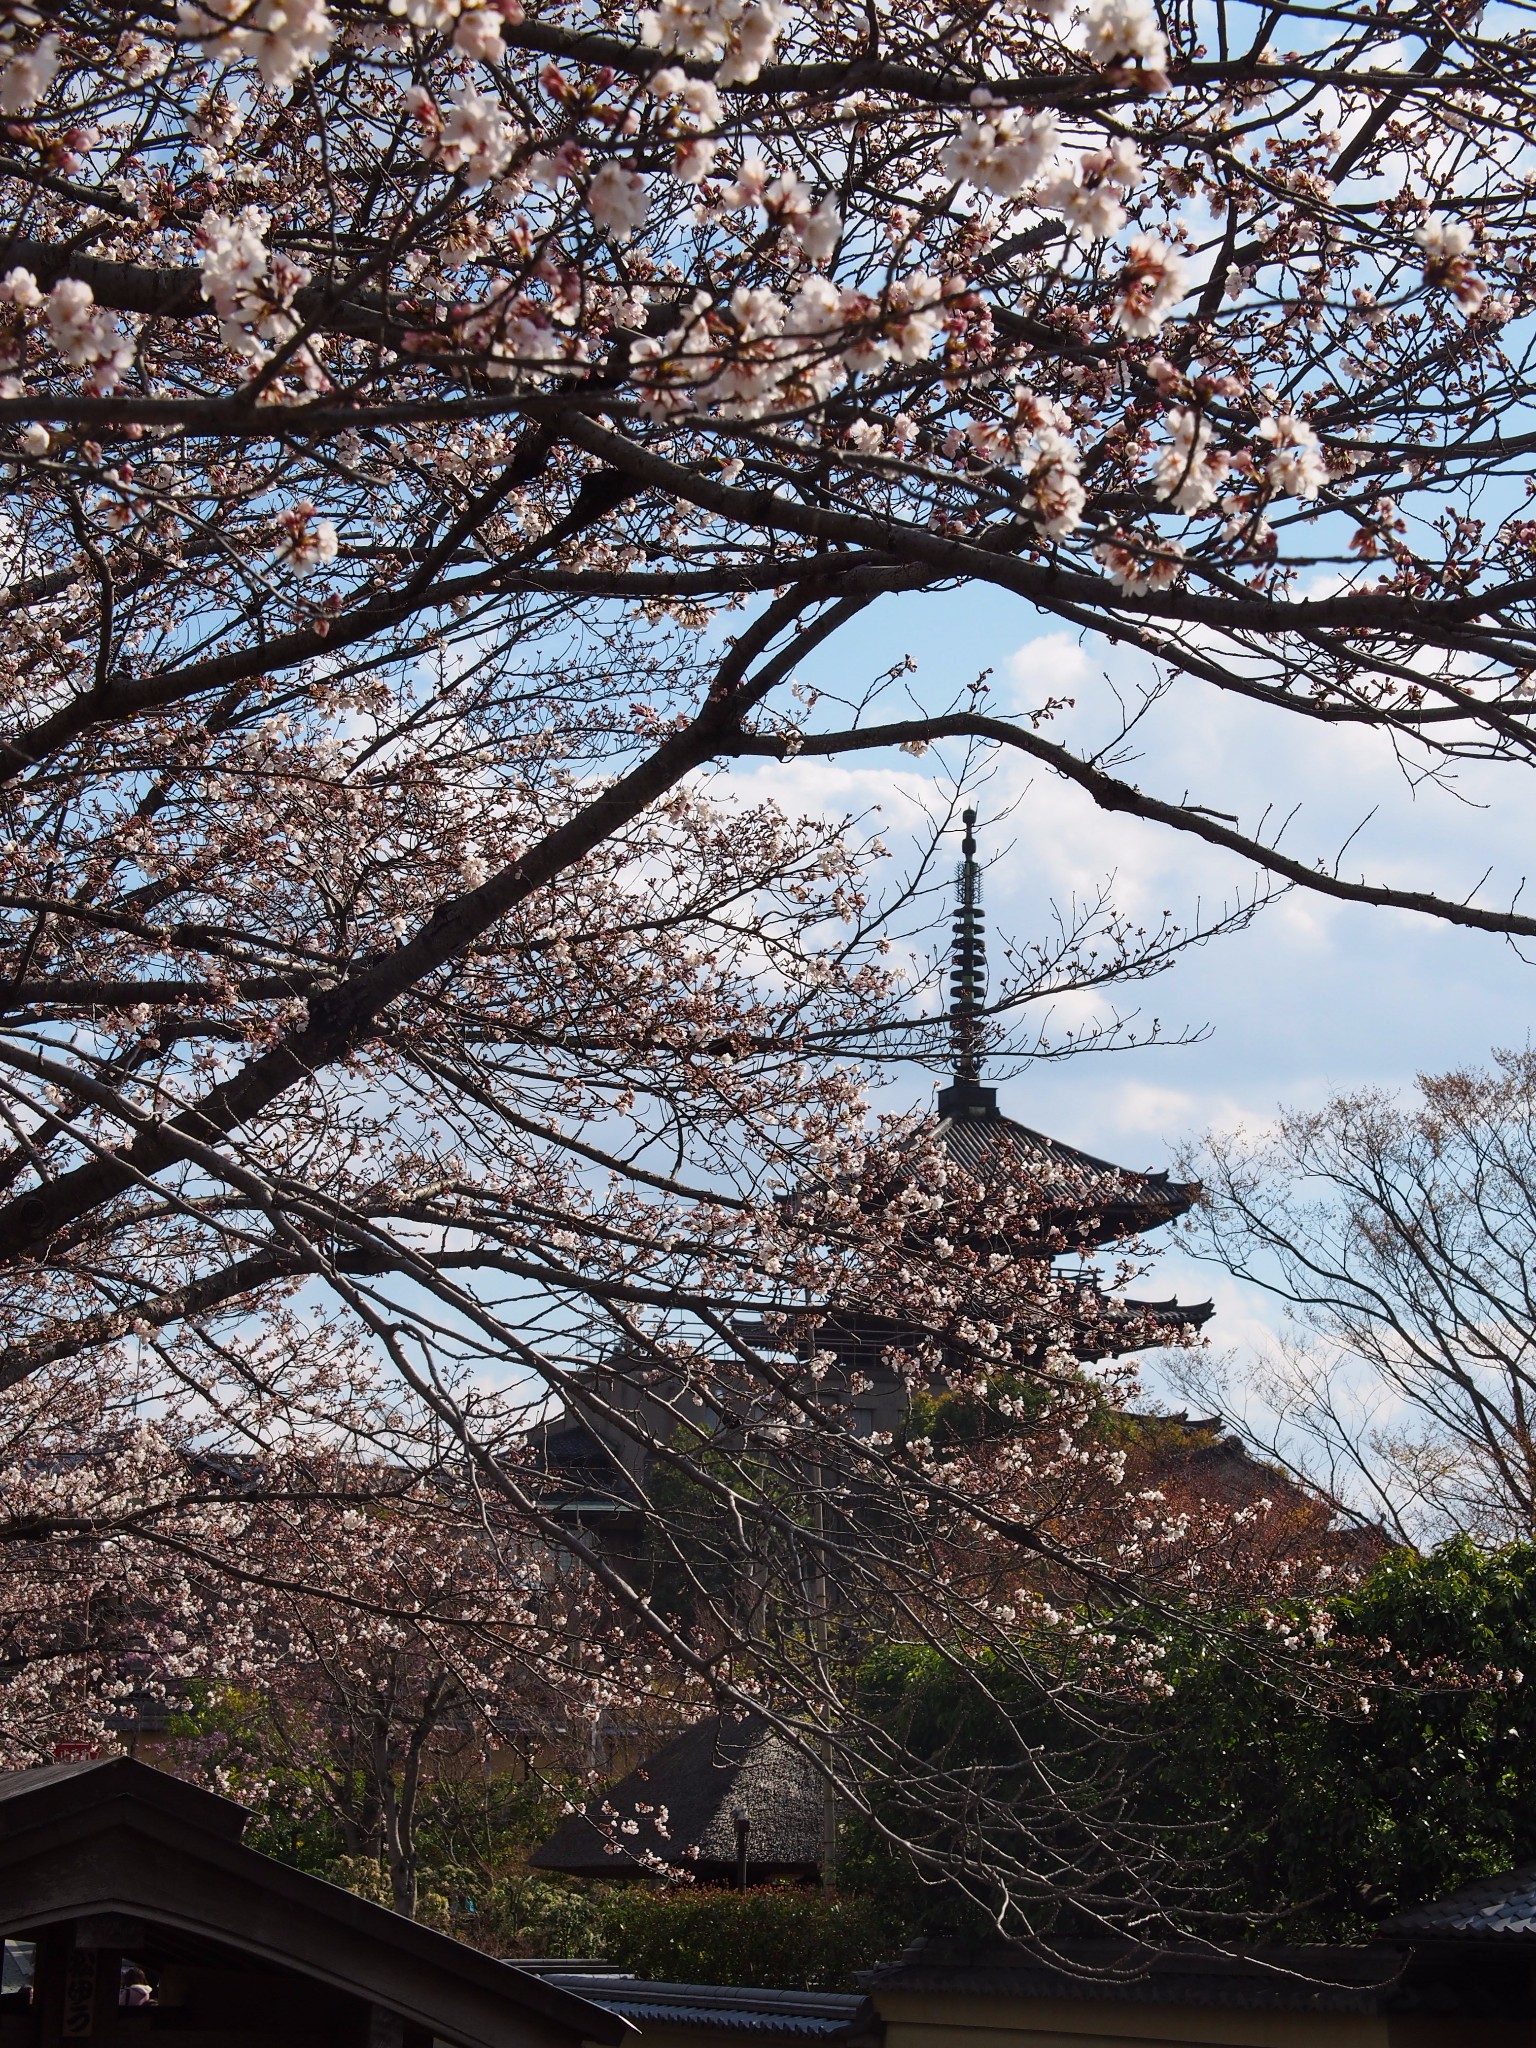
[[703, 1781]]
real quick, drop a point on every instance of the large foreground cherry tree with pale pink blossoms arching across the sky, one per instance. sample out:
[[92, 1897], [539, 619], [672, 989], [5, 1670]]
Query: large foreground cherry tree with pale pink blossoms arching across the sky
[[439, 439]]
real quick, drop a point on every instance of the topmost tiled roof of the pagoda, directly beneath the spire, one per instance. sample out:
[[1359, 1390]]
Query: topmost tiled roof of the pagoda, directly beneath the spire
[[1074, 1197]]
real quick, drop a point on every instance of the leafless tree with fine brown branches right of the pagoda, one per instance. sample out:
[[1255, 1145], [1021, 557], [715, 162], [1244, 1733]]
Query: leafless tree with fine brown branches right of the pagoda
[[1402, 1236]]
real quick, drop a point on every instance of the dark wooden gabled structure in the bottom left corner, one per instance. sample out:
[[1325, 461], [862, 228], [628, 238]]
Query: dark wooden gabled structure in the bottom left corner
[[134, 1916]]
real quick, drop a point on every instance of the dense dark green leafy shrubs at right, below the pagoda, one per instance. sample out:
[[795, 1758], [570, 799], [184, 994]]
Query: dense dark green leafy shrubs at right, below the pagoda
[[1306, 1811]]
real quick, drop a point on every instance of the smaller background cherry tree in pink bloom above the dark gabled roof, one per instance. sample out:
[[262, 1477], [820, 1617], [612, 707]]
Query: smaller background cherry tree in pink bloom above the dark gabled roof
[[296, 1596]]
